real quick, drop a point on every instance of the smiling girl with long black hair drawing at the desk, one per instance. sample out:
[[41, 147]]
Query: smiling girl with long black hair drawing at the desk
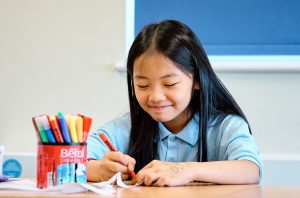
[[183, 124]]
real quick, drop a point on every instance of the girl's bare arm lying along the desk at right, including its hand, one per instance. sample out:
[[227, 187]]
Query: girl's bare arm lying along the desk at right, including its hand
[[160, 173]]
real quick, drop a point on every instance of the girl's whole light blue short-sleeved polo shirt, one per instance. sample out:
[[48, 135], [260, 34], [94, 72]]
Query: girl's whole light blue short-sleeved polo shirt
[[228, 140]]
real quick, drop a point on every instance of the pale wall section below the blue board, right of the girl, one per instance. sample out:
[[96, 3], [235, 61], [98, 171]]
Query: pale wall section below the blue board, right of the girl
[[271, 101]]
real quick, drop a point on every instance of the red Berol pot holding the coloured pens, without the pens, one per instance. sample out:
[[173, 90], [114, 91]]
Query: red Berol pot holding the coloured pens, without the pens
[[59, 164]]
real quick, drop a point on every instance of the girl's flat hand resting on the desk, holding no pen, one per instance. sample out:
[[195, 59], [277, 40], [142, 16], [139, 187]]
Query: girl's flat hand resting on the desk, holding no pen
[[159, 173]]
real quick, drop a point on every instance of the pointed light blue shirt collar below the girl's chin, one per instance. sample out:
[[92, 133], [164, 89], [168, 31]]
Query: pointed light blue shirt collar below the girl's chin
[[188, 134]]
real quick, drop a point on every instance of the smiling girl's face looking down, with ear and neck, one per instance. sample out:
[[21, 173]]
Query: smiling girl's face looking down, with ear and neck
[[163, 90]]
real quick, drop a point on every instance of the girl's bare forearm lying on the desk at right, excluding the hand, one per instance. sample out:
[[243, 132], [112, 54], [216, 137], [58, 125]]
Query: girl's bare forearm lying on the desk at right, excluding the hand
[[224, 172]]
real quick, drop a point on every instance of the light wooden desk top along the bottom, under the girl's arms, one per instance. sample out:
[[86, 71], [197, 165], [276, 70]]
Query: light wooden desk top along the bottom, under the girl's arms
[[202, 191]]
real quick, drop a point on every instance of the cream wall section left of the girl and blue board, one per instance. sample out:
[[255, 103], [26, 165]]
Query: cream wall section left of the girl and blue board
[[58, 55]]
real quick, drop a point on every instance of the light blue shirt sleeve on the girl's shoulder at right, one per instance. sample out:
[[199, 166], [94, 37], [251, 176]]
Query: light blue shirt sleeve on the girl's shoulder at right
[[237, 143]]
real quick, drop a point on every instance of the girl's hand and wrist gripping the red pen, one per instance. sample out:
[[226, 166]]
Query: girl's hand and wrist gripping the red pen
[[110, 164]]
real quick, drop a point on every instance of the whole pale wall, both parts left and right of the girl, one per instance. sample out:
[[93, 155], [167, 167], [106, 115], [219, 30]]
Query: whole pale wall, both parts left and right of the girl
[[58, 55]]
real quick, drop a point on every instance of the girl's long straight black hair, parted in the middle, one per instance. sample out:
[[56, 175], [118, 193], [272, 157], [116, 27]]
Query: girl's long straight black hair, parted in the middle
[[178, 42]]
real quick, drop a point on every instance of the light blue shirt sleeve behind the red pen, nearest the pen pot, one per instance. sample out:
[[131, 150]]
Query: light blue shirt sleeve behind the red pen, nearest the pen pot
[[117, 131]]
